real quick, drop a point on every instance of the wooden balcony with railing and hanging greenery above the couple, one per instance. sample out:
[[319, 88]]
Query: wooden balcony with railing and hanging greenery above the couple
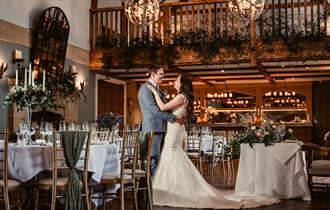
[[203, 36]]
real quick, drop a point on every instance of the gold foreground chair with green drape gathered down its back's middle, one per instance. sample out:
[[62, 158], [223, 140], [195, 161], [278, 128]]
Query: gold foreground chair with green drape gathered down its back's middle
[[67, 180]]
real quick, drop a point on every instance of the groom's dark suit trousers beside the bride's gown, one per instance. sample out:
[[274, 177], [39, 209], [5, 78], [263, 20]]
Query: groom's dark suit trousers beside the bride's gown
[[157, 146]]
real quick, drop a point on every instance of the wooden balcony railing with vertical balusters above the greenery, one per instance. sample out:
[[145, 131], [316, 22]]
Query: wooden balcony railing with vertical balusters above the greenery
[[284, 17]]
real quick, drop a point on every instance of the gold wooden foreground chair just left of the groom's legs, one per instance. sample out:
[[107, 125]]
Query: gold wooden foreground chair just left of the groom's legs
[[127, 178]]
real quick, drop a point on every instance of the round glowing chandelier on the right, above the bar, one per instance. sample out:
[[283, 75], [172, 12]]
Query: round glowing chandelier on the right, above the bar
[[246, 9]]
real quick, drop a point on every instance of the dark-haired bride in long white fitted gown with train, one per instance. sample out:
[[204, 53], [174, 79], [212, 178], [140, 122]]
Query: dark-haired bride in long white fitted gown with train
[[177, 182]]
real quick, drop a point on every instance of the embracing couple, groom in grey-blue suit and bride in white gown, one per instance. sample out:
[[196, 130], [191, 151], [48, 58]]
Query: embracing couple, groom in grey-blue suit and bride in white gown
[[176, 181]]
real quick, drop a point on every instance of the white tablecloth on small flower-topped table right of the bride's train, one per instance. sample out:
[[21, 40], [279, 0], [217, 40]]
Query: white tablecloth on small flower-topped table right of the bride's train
[[277, 170]]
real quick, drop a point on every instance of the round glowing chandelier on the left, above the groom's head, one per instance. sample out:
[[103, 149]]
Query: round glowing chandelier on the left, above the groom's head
[[142, 12]]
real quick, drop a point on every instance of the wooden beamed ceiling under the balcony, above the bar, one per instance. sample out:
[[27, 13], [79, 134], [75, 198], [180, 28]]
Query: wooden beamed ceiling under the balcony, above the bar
[[264, 72]]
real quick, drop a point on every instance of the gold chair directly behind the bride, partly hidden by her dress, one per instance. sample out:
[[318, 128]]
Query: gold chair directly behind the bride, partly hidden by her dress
[[193, 149]]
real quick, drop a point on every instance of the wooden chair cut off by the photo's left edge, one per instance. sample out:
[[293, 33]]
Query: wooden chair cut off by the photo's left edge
[[8, 186]]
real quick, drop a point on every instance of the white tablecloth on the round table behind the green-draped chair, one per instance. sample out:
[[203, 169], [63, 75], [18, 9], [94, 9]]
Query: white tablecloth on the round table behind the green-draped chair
[[25, 162]]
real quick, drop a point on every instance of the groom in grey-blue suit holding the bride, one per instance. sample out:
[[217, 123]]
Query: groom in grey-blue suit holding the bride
[[152, 117]]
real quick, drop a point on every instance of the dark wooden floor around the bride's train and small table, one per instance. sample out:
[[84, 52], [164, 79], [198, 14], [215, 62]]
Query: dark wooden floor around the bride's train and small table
[[320, 199]]
